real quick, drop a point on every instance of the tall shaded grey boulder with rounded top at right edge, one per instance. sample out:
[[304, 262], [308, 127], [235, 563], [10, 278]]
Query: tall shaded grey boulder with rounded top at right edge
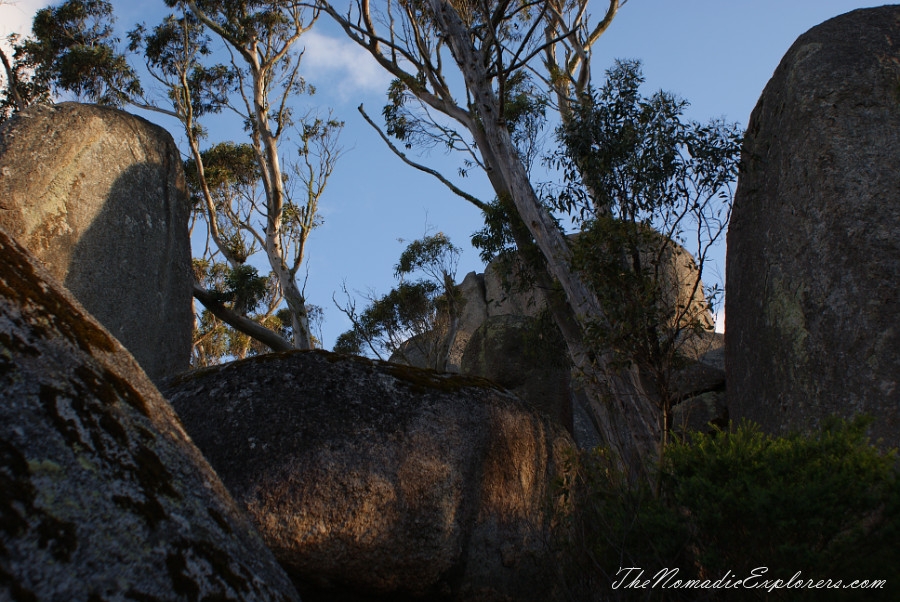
[[813, 316]]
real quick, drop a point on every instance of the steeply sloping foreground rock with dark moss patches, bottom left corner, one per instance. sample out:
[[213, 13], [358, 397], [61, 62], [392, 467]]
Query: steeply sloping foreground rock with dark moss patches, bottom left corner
[[102, 494]]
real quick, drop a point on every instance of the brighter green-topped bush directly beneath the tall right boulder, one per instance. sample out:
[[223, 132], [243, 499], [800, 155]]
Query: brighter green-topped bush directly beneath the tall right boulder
[[815, 502]]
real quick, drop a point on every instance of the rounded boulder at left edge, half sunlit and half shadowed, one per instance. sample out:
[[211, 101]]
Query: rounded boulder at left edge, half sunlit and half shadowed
[[99, 197]]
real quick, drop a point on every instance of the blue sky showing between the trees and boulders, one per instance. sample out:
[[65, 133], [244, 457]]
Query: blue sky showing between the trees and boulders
[[717, 54]]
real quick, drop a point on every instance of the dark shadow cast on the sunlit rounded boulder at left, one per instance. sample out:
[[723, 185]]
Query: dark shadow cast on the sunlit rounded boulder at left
[[131, 268]]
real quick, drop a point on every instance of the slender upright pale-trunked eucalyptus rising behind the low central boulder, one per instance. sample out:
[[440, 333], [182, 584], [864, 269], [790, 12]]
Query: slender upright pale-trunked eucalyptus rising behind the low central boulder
[[262, 38]]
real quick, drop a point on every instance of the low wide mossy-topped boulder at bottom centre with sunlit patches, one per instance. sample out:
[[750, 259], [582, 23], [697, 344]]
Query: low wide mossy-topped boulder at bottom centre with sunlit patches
[[375, 481]]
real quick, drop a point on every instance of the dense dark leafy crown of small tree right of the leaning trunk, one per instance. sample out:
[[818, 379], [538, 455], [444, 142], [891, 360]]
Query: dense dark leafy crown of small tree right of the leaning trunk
[[637, 158]]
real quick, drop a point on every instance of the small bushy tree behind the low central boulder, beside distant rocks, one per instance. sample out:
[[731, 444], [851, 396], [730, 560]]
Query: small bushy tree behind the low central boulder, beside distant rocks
[[417, 319]]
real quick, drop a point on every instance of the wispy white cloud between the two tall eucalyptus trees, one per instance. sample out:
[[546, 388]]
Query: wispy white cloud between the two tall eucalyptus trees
[[341, 67]]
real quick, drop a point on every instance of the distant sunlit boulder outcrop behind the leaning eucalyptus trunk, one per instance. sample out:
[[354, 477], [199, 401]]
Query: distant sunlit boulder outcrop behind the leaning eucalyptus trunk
[[505, 335]]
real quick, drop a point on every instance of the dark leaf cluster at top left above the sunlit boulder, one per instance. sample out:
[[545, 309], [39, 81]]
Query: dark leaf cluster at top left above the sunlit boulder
[[74, 50]]
